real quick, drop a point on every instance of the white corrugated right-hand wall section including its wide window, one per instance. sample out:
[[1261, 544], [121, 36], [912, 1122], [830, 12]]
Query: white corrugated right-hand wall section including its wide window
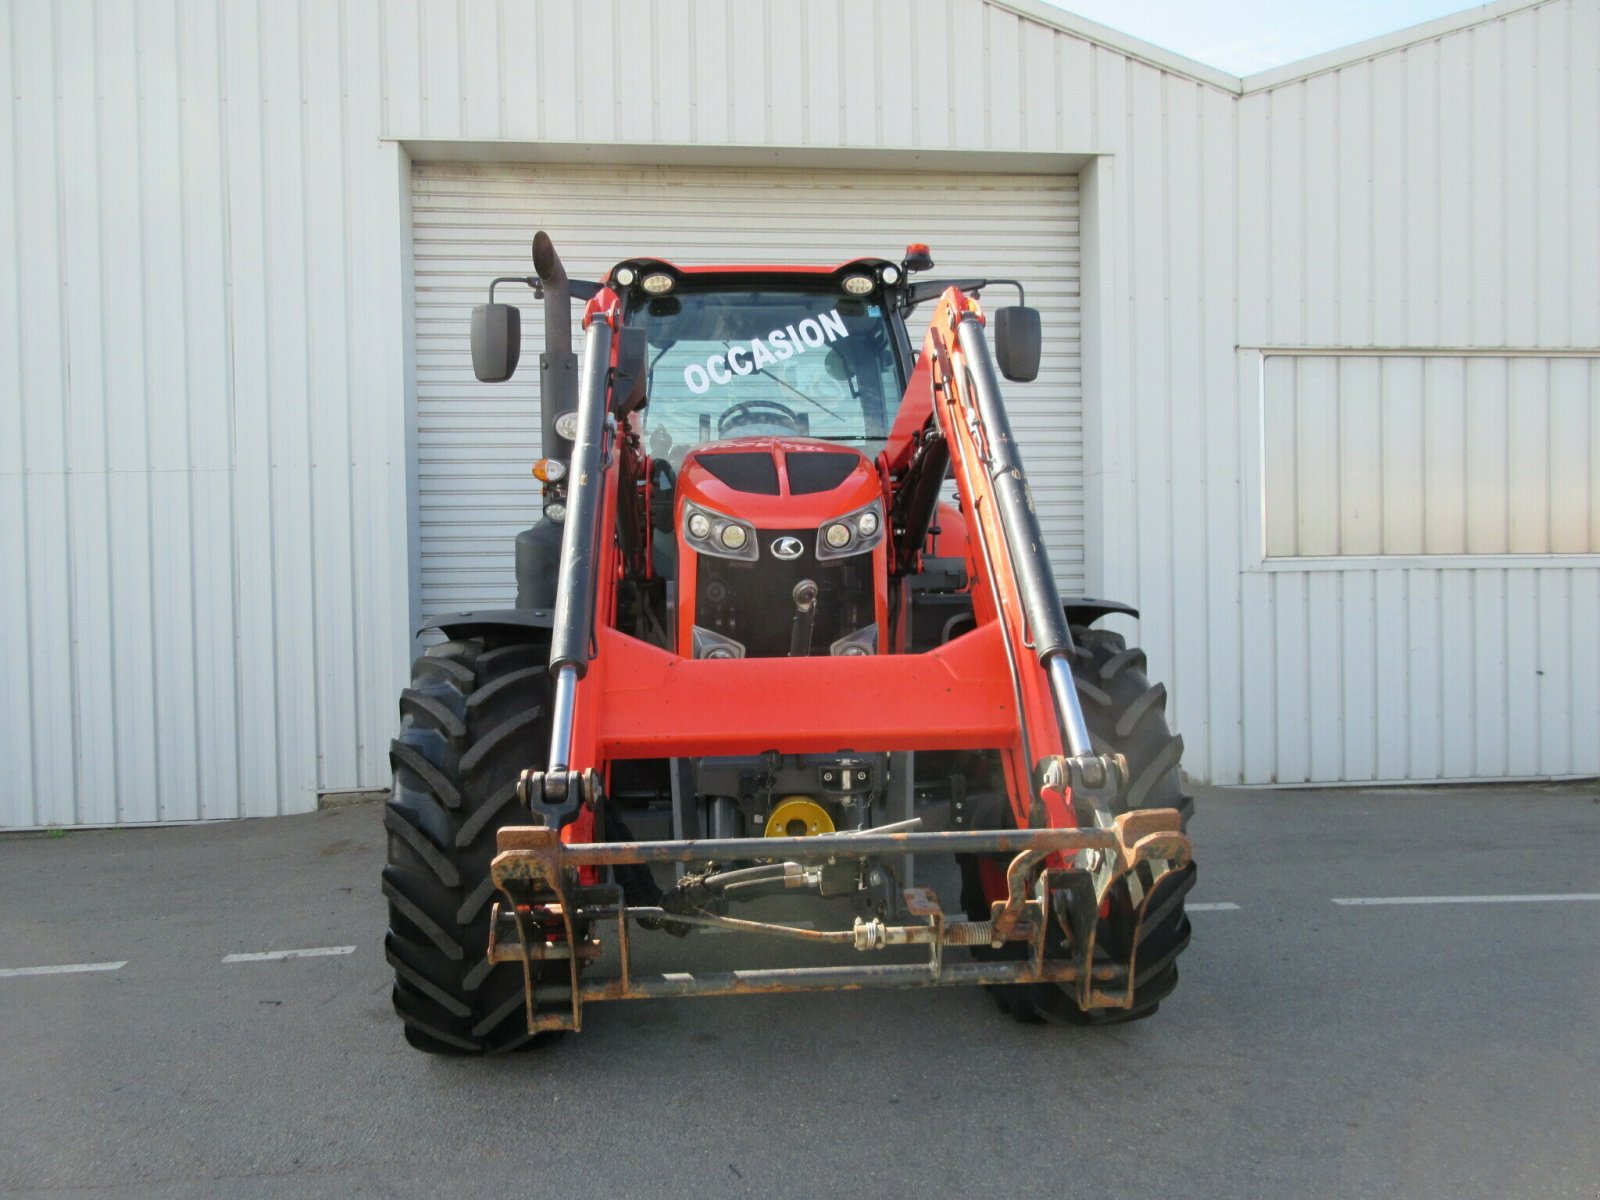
[[1442, 196]]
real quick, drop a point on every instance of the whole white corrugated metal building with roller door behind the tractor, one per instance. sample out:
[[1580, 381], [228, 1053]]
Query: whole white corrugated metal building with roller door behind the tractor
[[1322, 393]]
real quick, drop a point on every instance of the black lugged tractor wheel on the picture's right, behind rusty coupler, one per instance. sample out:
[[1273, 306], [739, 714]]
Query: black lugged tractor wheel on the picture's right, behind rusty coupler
[[1126, 714]]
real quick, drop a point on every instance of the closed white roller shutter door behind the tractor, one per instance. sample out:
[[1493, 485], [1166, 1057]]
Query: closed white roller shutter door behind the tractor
[[473, 223]]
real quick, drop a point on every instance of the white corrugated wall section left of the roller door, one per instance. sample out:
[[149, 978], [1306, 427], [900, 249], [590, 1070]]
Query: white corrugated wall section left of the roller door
[[202, 487]]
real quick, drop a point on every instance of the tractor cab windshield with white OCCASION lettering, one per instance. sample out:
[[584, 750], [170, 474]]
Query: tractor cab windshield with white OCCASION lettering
[[767, 362]]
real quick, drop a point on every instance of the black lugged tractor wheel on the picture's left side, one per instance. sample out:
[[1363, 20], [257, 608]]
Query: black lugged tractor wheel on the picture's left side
[[478, 713]]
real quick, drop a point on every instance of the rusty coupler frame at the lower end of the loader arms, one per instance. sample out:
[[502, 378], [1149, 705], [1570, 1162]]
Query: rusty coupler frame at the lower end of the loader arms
[[550, 916]]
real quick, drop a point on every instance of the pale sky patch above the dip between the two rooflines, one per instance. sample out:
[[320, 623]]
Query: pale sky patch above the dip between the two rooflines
[[1249, 36]]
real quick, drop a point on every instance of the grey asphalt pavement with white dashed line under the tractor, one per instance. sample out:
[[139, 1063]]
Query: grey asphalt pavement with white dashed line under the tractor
[[1313, 1049]]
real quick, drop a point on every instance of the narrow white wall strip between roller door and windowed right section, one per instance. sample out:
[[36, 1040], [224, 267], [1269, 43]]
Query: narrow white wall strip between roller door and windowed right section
[[1161, 410]]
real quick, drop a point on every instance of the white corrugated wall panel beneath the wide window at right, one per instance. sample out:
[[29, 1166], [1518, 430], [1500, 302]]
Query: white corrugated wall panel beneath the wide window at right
[[1422, 674]]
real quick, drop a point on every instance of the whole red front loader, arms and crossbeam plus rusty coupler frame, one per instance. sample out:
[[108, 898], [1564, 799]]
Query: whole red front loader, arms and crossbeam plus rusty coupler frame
[[1007, 686]]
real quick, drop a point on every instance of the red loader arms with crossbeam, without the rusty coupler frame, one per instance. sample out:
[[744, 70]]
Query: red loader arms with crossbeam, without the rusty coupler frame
[[1020, 702]]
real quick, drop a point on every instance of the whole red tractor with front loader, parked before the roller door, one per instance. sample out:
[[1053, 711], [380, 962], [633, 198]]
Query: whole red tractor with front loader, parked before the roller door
[[750, 617]]
